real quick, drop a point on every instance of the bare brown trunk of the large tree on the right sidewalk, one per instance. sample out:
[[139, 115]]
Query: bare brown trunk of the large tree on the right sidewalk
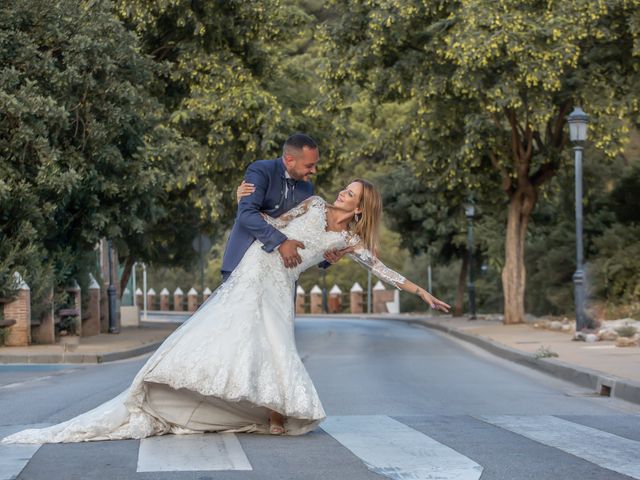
[[521, 204]]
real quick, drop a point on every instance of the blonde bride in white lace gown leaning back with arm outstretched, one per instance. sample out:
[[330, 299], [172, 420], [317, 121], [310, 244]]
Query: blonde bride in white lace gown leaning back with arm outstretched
[[233, 365]]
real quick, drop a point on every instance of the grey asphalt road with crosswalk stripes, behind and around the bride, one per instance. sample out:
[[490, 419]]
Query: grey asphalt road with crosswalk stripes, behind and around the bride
[[403, 402]]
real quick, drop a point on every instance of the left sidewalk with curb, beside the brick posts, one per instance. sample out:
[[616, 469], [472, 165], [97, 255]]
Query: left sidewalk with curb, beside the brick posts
[[130, 342]]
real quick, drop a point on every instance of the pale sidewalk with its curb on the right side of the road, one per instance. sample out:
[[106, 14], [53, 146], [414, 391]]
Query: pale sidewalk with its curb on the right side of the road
[[601, 366]]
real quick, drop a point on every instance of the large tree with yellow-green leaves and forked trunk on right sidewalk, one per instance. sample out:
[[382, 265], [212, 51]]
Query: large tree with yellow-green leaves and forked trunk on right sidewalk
[[486, 86]]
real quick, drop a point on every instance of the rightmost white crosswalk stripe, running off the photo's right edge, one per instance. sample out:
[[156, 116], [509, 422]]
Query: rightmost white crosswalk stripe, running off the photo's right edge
[[602, 448]]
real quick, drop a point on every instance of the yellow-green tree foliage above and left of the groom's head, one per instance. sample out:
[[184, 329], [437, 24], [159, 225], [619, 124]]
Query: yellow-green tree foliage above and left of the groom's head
[[221, 62]]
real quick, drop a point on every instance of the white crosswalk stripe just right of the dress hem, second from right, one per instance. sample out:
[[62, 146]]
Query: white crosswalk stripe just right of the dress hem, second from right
[[390, 448]]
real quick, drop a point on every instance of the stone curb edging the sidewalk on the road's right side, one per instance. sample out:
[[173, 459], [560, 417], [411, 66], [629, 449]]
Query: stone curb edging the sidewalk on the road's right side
[[601, 383]]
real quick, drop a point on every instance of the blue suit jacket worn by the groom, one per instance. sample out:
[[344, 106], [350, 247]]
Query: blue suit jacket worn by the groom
[[268, 176]]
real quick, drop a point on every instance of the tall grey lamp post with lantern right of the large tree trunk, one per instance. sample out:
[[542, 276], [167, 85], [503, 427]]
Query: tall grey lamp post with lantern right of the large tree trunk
[[578, 122]]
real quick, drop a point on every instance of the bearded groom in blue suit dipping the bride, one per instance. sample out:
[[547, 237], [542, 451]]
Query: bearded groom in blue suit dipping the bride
[[279, 185]]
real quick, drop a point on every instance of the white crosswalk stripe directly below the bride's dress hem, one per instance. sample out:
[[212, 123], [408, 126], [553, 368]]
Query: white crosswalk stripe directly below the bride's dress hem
[[210, 451]]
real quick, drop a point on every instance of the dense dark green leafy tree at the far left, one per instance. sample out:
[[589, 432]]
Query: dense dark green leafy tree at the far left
[[78, 128]]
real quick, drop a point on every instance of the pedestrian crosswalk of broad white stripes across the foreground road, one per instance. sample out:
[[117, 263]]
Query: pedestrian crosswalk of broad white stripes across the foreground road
[[383, 445]]
